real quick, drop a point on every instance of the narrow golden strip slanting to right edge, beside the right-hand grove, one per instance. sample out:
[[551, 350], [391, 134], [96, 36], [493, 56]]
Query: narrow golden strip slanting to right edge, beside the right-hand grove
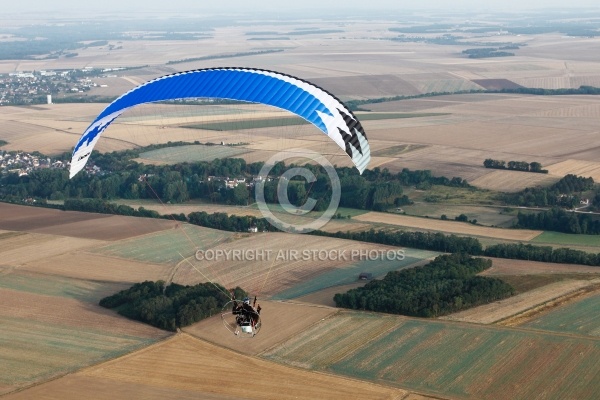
[[505, 308]]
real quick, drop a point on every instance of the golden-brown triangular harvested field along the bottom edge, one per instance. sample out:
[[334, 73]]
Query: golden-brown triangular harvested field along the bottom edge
[[188, 368]]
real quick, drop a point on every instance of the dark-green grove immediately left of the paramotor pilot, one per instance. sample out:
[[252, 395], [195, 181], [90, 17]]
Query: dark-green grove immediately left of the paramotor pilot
[[169, 307]]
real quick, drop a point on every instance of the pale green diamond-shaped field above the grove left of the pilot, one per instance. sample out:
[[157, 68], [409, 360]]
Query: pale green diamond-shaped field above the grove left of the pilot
[[166, 247]]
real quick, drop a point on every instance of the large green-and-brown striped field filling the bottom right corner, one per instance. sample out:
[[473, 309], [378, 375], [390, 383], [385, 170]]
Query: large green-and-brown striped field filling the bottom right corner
[[447, 359]]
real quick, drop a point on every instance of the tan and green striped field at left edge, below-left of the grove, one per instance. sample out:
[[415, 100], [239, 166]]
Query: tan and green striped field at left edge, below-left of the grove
[[45, 343]]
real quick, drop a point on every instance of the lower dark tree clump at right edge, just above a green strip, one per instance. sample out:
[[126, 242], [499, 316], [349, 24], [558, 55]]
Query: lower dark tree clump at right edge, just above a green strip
[[559, 220]]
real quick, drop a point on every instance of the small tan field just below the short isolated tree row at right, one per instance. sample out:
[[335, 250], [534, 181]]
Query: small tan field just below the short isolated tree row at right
[[512, 181]]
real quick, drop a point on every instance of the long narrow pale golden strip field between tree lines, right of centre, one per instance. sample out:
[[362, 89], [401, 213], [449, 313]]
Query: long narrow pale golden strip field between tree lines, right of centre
[[461, 228]]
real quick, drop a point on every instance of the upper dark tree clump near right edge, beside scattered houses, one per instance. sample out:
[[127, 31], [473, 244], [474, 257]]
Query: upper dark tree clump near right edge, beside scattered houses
[[562, 193]]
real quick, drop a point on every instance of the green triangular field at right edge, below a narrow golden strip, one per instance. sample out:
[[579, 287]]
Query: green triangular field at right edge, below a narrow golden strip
[[581, 317]]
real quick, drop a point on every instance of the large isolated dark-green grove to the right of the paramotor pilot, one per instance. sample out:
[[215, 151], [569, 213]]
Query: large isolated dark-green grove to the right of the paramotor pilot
[[445, 285]]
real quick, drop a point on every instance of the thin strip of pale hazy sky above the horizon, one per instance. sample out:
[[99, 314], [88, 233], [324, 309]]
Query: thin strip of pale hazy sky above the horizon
[[223, 6]]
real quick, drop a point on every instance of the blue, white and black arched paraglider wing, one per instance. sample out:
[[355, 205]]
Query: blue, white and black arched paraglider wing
[[251, 85]]
